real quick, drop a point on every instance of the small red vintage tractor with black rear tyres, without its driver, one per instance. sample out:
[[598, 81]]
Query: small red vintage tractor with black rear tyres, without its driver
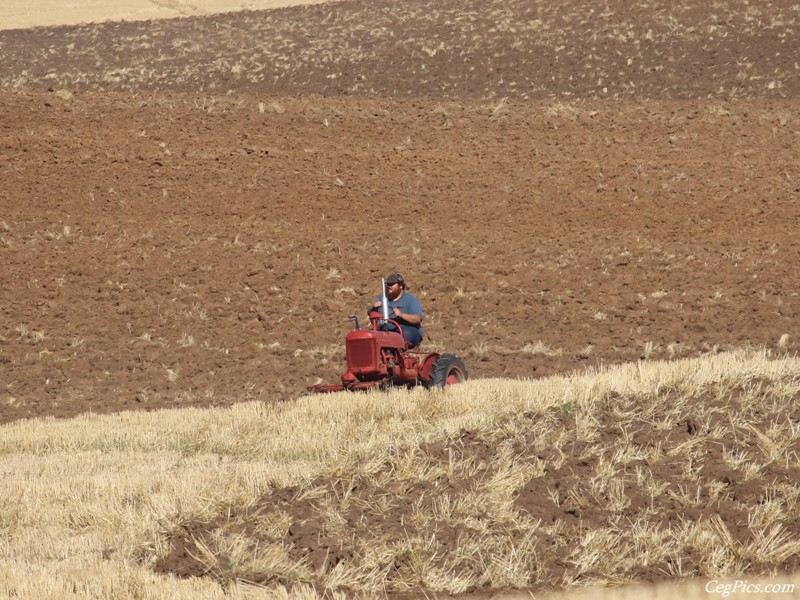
[[381, 358]]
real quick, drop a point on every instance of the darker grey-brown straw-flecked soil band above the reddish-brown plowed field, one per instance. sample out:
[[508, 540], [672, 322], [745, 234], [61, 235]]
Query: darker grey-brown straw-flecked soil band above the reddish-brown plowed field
[[465, 48]]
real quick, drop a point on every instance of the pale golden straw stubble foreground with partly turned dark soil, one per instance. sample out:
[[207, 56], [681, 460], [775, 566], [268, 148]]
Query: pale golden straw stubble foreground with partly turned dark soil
[[93, 503]]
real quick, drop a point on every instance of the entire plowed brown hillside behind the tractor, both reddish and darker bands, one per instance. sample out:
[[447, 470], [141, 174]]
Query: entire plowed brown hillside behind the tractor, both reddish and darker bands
[[175, 249]]
